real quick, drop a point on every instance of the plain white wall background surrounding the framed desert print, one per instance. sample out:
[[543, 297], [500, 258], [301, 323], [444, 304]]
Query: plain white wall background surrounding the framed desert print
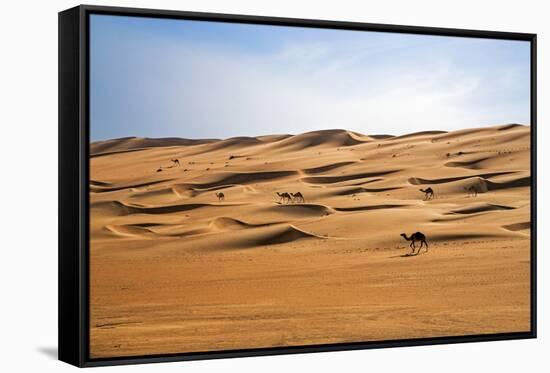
[[28, 184]]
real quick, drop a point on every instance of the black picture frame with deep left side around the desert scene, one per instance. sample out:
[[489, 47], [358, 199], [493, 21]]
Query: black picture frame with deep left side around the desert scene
[[74, 187]]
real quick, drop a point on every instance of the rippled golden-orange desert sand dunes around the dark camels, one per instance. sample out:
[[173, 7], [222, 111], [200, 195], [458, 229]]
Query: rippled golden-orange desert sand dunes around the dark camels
[[174, 268]]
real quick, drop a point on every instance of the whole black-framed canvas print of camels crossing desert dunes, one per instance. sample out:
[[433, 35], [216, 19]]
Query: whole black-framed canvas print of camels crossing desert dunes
[[238, 185]]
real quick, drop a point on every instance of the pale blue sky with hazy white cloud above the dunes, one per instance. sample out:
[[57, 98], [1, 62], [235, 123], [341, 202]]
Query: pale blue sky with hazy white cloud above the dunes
[[176, 78]]
